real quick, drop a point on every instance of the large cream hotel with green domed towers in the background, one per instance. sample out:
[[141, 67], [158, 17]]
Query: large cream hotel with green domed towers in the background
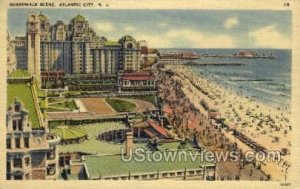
[[73, 48]]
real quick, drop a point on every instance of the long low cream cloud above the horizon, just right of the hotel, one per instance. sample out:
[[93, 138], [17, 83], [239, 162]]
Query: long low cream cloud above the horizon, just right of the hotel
[[188, 38]]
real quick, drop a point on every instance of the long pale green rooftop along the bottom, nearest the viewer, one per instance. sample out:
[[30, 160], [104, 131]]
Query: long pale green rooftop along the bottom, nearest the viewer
[[114, 165]]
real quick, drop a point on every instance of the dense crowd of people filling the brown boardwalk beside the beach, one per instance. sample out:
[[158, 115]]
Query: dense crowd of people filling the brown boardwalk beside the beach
[[191, 124]]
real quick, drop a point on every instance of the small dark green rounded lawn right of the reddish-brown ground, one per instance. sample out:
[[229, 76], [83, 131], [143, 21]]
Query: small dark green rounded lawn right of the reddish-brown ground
[[120, 105]]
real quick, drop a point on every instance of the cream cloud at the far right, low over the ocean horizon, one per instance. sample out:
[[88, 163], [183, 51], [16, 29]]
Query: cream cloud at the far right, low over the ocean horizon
[[269, 37]]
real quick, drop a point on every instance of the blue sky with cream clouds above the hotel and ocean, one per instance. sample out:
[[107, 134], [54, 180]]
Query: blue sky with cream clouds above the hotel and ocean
[[178, 28]]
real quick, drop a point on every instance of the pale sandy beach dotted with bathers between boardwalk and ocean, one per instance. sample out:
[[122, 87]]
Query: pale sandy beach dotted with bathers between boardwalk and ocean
[[268, 126]]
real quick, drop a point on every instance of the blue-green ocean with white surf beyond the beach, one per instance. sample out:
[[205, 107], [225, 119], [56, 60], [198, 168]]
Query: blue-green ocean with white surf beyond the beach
[[274, 87]]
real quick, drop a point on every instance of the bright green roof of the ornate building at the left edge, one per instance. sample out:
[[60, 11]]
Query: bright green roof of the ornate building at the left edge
[[23, 93]]
